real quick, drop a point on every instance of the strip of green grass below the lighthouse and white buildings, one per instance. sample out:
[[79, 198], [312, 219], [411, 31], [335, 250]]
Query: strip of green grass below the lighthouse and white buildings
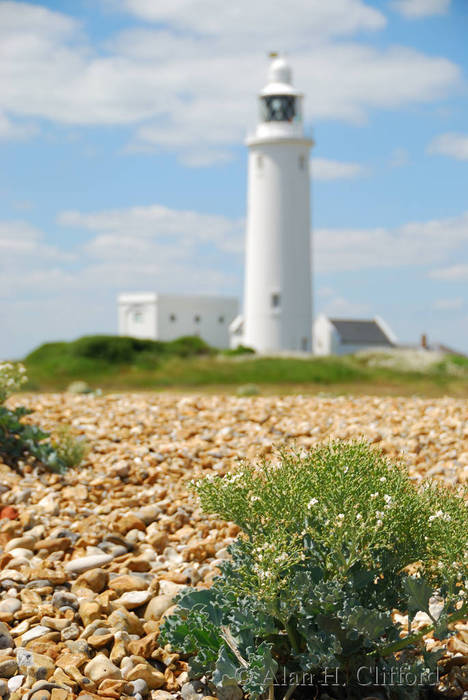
[[117, 363]]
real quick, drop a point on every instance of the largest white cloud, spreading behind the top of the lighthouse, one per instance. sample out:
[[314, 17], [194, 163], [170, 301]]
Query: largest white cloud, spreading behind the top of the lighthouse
[[191, 86]]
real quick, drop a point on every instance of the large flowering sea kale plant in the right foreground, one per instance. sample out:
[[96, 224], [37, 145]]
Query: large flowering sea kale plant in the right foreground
[[333, 542]]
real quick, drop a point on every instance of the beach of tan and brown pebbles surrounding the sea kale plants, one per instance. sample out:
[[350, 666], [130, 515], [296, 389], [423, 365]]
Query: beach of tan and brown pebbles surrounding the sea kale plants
[[91, 561]]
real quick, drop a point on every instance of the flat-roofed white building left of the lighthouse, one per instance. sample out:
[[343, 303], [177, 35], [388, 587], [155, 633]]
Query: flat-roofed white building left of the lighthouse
[[167, 316]]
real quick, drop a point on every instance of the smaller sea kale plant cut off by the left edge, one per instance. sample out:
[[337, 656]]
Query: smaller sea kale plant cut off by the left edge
[[21, 441]]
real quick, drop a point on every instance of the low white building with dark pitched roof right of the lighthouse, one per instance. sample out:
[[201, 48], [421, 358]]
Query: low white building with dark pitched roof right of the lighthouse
[[333, 336]]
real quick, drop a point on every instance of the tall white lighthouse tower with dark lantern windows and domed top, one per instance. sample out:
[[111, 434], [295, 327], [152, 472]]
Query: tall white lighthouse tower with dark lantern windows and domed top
[[278, 297]]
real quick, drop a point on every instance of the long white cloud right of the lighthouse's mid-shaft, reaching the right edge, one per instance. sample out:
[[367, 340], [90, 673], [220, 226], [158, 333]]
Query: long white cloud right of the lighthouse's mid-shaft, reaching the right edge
[[418, 243]]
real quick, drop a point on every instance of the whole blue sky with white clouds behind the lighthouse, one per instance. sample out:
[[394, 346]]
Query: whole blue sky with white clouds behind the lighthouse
[[123, 165]]
